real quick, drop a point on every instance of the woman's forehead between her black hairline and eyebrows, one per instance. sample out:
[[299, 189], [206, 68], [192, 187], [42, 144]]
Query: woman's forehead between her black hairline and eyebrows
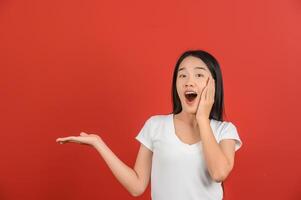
[[193, 63]]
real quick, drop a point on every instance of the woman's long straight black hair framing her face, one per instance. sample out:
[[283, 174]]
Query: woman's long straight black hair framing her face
[[218, 109]]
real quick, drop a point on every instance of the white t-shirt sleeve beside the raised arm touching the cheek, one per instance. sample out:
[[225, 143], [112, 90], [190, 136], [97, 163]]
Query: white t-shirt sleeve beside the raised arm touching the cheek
[[229, 131]]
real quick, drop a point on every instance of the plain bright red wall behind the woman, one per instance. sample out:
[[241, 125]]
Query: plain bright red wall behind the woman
[[105, 67]]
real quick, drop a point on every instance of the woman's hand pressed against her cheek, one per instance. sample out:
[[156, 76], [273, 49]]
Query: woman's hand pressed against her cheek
[[206, 101]]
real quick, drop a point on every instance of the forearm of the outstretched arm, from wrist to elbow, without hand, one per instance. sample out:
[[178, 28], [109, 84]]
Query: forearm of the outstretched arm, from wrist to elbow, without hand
[[124, 174]]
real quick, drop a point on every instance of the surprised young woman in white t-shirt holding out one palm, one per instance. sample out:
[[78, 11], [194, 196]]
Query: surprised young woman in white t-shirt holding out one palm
[[188, 153]]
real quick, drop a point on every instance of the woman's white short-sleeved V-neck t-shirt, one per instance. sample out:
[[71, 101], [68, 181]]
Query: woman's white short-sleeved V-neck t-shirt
[[179, 171]]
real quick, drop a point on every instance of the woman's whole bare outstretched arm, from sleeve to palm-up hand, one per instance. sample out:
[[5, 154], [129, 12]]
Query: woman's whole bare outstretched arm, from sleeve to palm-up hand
[[134, 180]]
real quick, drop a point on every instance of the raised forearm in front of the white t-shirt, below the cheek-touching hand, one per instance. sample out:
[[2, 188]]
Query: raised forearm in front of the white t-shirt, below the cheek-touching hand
[[217, 162]]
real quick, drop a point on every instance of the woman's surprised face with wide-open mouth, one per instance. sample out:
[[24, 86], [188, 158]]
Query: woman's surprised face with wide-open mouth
[[193, 74]]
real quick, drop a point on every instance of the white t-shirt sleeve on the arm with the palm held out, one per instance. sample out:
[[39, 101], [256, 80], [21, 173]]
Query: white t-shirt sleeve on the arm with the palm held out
[[145, 134]]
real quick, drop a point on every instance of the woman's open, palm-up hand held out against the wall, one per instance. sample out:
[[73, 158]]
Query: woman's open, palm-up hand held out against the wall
[[84, 138]]
